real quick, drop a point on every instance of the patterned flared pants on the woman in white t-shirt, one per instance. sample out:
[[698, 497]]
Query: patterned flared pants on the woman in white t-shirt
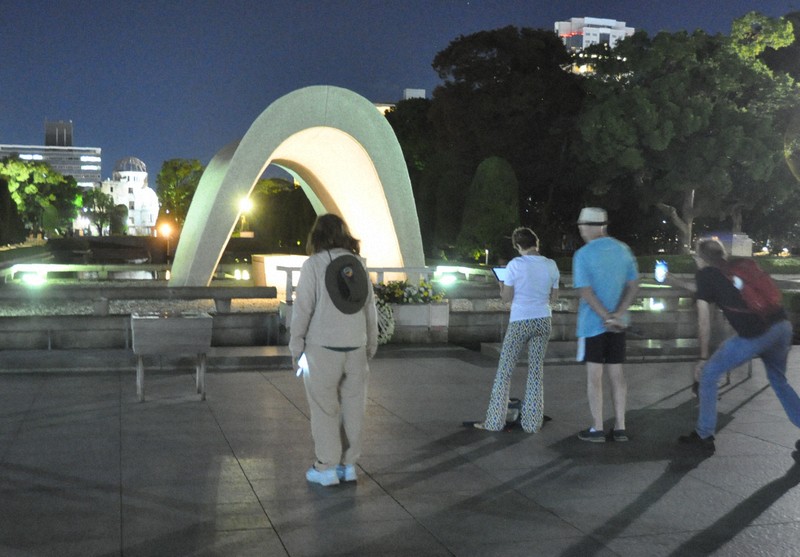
[[536, 333]]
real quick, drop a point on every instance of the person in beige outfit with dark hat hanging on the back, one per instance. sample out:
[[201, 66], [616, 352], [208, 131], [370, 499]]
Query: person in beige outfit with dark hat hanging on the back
[[334, 332]]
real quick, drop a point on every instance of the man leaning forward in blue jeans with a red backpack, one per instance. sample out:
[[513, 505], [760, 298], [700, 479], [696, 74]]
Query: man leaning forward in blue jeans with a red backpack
[[750, 301]]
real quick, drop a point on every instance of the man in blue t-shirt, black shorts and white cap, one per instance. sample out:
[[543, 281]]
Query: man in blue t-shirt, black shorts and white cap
[[605, 274]]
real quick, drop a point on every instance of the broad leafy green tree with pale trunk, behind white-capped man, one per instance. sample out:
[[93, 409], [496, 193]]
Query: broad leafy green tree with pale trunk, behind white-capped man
[[683, 122]]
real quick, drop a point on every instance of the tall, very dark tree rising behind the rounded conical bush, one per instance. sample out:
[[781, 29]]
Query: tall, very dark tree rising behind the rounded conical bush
[[505, 93]]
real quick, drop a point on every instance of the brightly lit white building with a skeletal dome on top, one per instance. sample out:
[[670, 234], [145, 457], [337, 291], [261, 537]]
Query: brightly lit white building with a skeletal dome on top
[[129, 187]]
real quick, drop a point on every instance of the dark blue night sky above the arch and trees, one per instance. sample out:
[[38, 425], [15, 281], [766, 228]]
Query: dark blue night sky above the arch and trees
[[182, 78]]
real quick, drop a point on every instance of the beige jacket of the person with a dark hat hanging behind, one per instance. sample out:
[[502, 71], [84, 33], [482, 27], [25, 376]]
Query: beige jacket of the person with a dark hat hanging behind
[[316, 320]]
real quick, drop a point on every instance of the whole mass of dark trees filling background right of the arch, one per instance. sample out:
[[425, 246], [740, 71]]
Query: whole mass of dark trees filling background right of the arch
[[676, 135]]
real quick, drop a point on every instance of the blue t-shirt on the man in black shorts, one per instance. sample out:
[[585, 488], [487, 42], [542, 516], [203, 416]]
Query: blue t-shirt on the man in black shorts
[[606, 265]]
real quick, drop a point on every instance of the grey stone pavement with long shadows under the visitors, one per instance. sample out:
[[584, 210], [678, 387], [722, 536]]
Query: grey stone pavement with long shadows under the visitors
[[85, 470]]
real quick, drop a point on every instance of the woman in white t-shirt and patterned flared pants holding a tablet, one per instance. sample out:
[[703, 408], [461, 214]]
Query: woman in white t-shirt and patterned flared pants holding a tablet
[[531, 285]]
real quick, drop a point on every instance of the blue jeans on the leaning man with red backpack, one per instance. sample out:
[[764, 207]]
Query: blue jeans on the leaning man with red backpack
[[773, 349]]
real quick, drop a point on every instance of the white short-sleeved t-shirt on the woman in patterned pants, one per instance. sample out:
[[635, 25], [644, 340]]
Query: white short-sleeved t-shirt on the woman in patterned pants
[[533, 277]]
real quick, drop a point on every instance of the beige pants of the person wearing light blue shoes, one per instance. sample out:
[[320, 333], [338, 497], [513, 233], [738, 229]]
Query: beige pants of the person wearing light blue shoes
[[336, 387]]
